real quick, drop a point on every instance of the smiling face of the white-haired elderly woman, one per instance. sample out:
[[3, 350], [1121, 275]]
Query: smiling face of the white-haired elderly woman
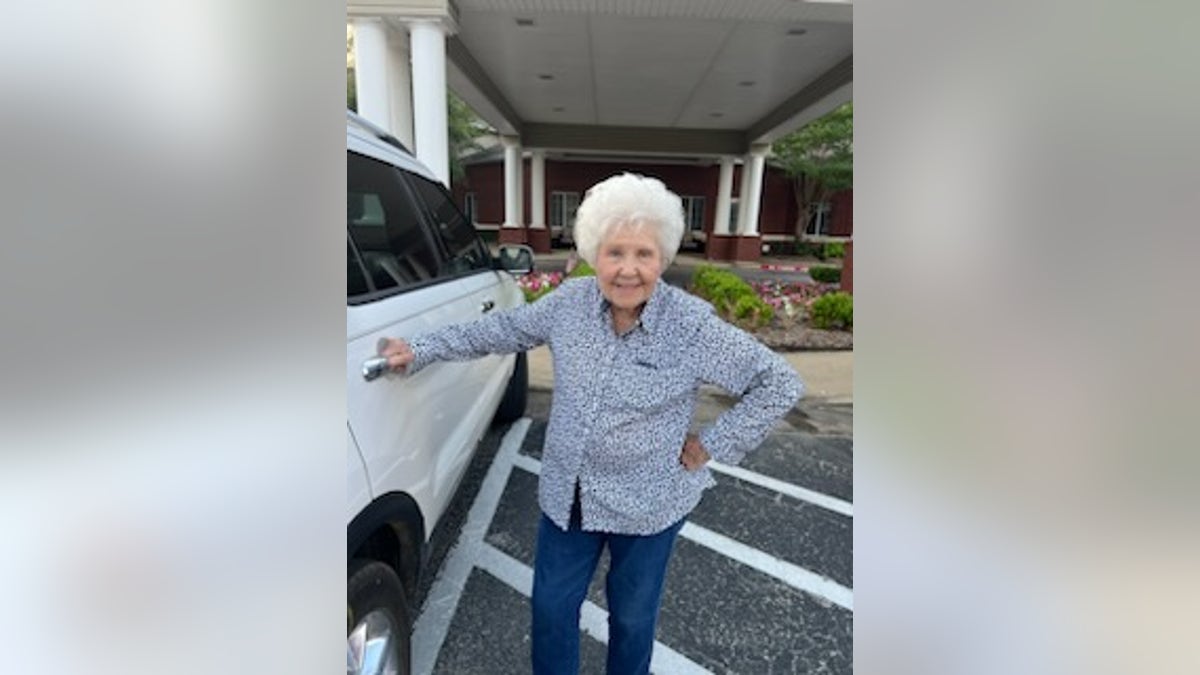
[[629, 265]]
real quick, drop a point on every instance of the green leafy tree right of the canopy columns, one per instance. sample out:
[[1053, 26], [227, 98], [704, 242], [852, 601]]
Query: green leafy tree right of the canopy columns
[[820, 159]]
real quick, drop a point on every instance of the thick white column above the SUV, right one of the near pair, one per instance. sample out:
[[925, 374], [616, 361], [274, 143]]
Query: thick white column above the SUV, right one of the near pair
[[430, 135]]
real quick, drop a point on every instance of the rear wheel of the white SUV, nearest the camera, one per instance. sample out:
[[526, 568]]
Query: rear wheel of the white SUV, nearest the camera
[[379, 628]]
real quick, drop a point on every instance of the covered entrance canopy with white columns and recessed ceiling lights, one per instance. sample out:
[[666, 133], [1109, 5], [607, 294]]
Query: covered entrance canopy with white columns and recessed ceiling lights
[[716, 80]]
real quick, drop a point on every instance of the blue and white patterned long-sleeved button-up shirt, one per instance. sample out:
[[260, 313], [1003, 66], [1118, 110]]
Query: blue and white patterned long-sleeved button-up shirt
[[623, 404]]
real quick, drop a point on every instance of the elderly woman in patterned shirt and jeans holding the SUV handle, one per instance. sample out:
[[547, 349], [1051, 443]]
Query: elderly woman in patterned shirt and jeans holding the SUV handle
[[620, 469]]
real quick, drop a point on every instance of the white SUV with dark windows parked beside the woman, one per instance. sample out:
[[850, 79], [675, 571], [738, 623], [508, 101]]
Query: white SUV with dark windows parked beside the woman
[[413, 264]]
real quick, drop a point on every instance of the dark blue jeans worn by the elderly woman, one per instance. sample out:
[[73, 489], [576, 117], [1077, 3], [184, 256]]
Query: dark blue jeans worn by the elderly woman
[[563, 569]]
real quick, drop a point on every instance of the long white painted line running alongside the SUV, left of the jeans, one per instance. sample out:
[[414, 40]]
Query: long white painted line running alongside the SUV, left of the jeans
[[431, 628]]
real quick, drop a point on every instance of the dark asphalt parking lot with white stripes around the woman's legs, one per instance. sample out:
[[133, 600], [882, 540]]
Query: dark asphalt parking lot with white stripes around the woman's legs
[[761, 581]]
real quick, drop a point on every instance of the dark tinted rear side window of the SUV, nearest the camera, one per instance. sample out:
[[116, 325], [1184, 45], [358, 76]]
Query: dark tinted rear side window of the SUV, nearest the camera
[[386, 226]]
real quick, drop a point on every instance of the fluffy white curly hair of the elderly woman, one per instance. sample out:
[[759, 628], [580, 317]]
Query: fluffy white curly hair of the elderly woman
[[629, 201]]
